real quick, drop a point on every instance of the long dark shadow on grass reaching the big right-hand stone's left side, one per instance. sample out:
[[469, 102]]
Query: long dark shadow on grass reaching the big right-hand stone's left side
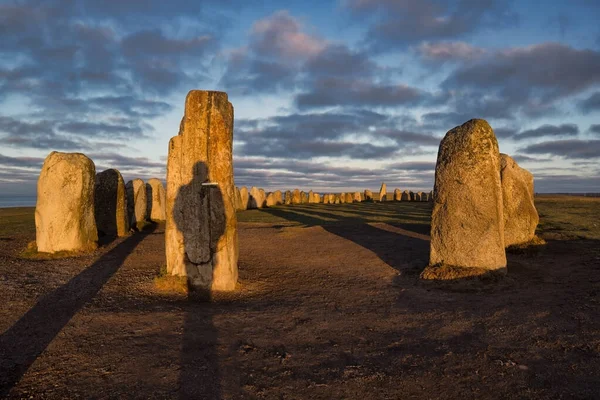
[[404, 249]]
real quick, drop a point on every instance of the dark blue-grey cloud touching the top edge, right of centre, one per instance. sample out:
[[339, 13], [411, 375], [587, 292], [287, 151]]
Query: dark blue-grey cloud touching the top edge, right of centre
[[396, 23]]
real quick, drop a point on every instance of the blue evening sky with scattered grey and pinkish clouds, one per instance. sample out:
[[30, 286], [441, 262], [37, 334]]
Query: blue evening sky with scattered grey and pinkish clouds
[[328, 95]]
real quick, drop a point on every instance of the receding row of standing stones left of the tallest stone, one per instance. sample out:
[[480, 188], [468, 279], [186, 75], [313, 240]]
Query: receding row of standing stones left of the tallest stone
[[75, 205]]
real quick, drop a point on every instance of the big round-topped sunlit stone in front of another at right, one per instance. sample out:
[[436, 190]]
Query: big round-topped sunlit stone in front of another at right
[[467, 227]]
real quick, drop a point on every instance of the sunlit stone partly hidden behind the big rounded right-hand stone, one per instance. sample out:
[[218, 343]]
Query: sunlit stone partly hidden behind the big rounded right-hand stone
[[520, 215]]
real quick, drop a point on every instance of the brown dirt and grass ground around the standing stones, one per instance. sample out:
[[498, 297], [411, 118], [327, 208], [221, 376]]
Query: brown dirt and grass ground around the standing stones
[[329, 306]]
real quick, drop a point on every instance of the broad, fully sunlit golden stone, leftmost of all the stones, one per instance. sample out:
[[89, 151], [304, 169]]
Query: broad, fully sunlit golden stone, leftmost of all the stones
[[64, 212]]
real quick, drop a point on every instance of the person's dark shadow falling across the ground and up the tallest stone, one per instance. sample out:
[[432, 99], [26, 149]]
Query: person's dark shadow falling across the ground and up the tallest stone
[[199, 214]]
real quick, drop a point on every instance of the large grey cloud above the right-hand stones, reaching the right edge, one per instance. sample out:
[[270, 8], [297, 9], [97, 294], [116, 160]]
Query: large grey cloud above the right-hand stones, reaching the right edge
[[528, 79]]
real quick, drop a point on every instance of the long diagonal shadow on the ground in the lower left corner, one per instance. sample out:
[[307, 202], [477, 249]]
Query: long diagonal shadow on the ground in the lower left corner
[[23, 343]]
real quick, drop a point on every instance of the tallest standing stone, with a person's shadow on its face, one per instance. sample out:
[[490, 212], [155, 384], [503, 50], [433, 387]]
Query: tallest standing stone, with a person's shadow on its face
[[201, 232]]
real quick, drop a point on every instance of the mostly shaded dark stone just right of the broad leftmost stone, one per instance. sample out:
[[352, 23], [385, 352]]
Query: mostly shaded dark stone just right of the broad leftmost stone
[[110, 204]]
